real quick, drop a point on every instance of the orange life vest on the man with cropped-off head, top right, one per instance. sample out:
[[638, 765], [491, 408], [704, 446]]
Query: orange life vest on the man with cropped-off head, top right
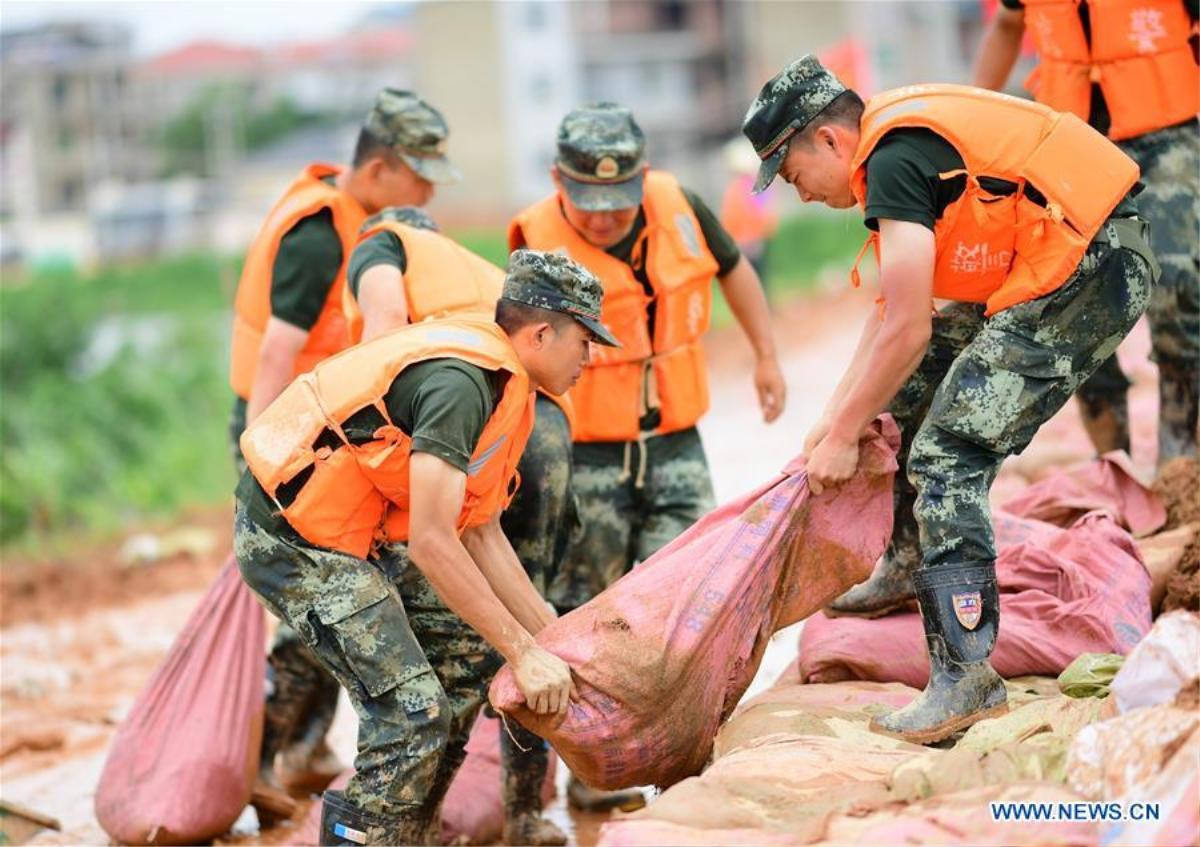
[[1138, 53]]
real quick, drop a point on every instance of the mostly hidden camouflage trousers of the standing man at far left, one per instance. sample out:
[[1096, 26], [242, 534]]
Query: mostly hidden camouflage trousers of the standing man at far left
[[302, 696]]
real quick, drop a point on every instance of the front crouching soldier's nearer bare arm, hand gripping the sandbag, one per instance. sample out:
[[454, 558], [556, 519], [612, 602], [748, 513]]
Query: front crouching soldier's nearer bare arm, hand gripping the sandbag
[[437, 494]]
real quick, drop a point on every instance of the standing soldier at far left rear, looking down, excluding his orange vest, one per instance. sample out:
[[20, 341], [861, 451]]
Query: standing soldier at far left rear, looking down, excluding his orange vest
[[398, 160]]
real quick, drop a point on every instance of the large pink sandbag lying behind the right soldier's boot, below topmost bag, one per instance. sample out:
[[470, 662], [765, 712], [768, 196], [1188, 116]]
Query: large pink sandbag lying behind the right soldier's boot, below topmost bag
[[1063, 592]]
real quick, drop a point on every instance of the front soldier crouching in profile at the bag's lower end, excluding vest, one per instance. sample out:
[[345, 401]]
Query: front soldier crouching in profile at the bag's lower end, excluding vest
[[416, 671]]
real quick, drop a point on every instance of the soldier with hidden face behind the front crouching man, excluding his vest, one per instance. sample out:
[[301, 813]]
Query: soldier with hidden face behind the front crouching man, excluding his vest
[[538, 522]]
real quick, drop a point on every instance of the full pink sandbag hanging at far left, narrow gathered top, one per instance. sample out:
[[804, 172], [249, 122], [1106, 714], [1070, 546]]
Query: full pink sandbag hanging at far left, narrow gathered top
[[183, 764]]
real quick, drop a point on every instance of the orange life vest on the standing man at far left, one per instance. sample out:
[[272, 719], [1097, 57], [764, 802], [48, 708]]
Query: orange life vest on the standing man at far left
[[253, 309]]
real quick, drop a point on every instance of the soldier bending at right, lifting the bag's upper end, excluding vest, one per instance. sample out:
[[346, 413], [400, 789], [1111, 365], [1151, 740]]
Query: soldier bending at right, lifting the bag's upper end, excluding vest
[[971, 395]]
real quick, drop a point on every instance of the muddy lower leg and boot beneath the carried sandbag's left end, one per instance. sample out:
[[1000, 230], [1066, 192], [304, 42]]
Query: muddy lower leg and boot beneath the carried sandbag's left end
[[525, 761]]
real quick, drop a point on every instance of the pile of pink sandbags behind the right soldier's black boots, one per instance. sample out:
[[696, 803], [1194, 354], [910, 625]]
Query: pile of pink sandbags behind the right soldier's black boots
[[1072, 581]]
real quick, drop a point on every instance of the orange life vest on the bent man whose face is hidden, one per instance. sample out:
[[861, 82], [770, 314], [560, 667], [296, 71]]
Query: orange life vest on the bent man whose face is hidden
[[442, 279]]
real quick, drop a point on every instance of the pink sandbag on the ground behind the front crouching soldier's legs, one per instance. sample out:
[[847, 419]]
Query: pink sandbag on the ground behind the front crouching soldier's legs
[[473, 812]]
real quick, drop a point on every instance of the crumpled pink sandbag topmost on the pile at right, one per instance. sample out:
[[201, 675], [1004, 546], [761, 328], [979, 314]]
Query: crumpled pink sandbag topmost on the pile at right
[[1109, 484]]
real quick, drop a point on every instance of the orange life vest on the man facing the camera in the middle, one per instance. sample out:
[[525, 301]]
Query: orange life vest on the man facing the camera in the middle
[[665, 373]]
